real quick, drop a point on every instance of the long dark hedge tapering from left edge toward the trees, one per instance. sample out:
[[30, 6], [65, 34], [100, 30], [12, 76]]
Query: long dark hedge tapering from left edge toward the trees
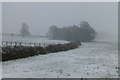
[[17, 52]]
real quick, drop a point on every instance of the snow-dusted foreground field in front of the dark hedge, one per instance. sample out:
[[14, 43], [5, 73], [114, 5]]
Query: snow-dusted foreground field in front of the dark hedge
[[91, 60]]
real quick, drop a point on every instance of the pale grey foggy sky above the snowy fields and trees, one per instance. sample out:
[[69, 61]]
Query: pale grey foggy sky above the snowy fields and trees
[[40, 16]]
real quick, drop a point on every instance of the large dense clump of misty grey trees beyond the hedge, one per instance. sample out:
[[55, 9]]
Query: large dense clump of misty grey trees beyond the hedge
[[83, 33]]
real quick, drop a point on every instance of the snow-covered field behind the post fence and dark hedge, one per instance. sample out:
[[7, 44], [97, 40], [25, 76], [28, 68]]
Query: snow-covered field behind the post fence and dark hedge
[[42, 40]]
